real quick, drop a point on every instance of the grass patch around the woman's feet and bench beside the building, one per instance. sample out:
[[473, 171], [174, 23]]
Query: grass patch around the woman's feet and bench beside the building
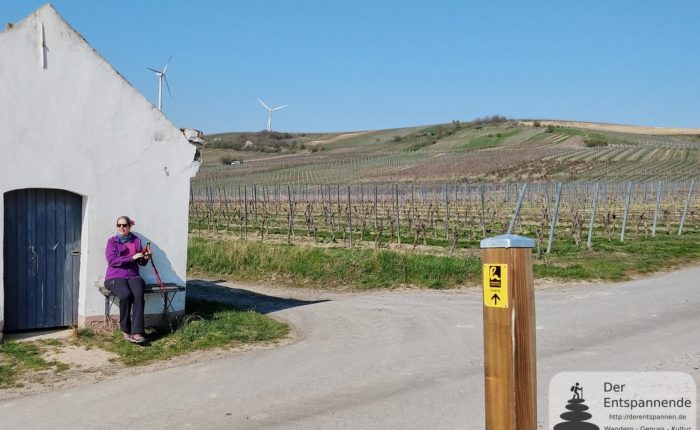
[[207, 325]]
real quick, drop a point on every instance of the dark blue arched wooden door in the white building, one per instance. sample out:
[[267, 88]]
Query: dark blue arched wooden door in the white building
[[41, 258]]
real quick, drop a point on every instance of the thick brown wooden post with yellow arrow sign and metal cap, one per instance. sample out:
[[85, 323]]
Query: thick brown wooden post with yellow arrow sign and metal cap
[[509, 333]]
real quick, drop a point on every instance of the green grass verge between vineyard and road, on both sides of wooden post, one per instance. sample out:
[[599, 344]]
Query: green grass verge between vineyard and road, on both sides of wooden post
[[325, 267]]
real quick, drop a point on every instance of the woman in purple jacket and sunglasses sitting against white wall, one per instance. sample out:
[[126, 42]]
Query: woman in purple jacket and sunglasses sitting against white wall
[[124, 255]]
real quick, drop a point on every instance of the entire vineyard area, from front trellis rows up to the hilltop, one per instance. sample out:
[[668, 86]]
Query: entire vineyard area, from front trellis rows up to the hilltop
[[450, 185]]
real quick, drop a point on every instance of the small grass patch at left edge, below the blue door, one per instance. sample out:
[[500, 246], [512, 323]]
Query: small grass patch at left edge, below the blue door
[[20, 358]]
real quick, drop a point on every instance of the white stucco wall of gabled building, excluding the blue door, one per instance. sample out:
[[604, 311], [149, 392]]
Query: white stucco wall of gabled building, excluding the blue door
[[77, 125]]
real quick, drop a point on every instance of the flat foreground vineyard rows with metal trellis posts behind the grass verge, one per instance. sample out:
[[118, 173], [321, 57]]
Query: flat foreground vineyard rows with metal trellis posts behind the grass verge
[[448, 215]]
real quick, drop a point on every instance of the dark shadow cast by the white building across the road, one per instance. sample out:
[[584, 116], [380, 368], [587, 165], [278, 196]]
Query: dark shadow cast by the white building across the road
[[241, 298]]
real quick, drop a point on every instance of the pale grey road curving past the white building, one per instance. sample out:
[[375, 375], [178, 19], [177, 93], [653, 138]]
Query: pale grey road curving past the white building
[[388, 360]]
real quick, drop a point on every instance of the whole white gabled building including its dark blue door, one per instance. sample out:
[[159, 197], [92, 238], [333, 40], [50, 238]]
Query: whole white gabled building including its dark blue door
[[80, 146]]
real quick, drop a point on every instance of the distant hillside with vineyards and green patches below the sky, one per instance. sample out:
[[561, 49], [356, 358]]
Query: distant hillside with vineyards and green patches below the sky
[[492, 150]]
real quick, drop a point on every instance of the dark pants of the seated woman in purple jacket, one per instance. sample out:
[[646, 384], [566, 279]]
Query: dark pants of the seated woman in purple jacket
[[130, 294]]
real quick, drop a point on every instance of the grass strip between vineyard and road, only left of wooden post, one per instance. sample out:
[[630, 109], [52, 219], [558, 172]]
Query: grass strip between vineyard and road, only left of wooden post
[[341, 267]]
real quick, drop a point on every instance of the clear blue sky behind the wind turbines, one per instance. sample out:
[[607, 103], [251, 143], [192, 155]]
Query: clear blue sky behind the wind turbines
[[362, 65]]
